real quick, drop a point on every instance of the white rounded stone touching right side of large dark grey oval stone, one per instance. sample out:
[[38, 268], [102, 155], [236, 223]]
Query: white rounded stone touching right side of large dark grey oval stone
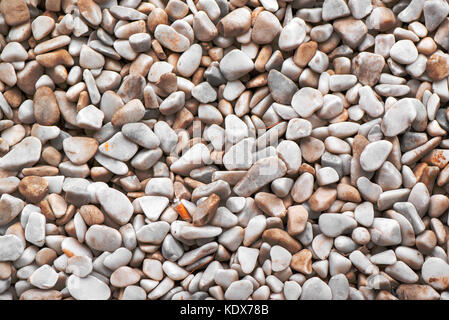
[[306, 101]]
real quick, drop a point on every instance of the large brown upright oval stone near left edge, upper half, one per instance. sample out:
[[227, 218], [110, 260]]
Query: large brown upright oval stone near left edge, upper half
[[45, 106]]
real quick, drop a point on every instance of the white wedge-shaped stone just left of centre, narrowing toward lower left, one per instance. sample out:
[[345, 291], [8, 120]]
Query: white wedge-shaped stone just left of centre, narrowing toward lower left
[[194, 158]]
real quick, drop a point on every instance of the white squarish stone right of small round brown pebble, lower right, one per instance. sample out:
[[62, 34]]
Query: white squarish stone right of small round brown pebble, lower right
[[385, 232]]
